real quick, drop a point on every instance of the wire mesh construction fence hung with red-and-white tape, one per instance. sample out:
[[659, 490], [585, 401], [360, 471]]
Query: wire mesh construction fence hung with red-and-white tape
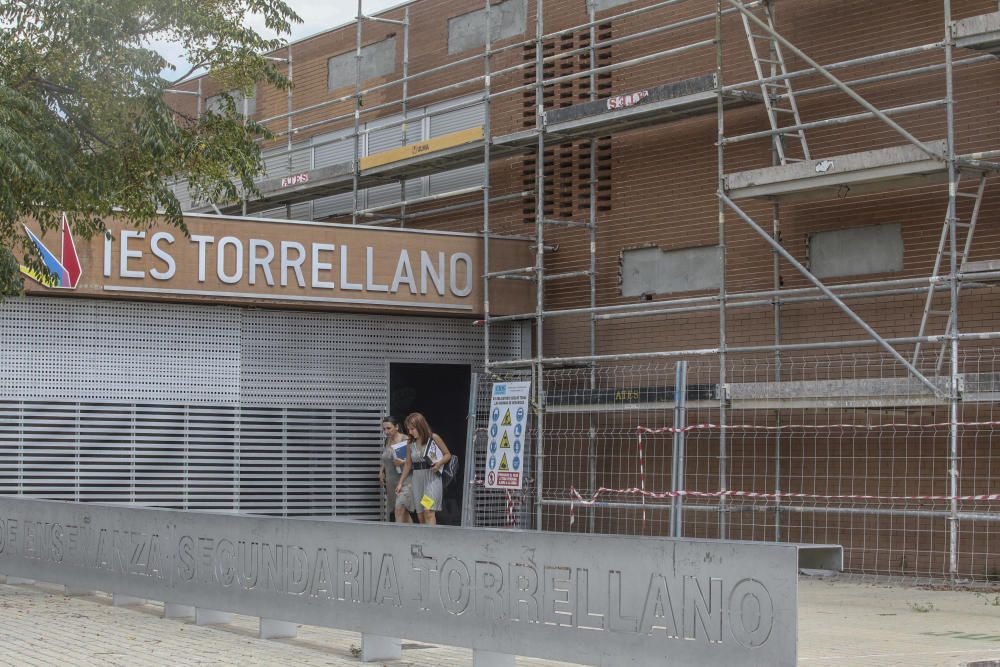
[[823, 450]]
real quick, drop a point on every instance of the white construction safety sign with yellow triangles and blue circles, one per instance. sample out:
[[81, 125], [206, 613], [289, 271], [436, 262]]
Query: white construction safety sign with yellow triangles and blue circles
[[507, 430]]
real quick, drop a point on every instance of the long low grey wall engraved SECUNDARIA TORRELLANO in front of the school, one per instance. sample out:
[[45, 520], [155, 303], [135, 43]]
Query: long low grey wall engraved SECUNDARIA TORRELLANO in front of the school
[[599, 598]]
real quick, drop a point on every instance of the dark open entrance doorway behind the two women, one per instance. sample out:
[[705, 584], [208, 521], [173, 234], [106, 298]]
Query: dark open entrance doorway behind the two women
[[441, 393]]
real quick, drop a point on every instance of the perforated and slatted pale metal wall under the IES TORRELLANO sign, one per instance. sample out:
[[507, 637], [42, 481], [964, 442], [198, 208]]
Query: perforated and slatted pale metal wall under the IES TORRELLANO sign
[[297, 434]]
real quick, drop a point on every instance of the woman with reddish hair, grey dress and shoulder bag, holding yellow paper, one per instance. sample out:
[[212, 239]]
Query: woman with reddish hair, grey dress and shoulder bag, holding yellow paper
[[427, 455]]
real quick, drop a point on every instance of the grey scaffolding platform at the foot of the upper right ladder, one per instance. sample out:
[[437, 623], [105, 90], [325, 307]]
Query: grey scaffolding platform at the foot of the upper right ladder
[[839, 176]]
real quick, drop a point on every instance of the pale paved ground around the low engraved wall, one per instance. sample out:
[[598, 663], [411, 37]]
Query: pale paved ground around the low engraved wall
[[841, 622]]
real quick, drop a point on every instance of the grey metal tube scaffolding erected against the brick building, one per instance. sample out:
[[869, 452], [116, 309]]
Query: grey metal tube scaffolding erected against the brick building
[[800, 171]]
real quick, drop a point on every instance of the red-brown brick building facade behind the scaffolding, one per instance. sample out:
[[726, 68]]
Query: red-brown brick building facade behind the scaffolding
[[655, 185]]
